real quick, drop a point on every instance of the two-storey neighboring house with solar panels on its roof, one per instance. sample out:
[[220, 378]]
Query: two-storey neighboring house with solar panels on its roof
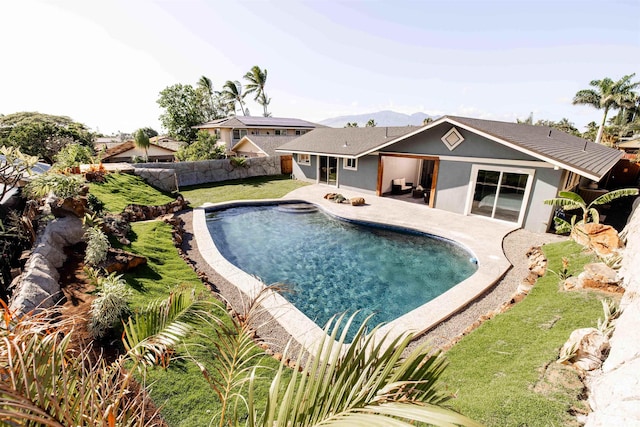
[[232, 129]]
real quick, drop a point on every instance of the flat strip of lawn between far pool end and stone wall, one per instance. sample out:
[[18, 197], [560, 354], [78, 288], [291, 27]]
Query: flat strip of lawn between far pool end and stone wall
[[262, 187]]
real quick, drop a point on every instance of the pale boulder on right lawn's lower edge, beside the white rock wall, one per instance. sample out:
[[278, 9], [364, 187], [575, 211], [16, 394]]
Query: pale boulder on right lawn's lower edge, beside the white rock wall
[[591, 347]]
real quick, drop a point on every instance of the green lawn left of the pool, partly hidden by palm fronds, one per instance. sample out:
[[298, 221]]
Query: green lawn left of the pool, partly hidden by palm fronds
[[180, 390]]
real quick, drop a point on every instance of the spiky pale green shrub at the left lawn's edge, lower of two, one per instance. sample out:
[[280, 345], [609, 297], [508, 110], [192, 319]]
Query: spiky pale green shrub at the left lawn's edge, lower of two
[[110, 307]]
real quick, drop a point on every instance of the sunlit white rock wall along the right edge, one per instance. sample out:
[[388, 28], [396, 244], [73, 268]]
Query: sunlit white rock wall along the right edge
[[614, 390]]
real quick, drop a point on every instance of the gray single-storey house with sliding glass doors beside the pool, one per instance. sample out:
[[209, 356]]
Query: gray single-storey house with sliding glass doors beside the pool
[[498, 170]]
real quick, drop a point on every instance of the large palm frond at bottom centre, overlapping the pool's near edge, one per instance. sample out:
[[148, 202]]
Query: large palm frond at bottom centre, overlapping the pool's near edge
[[360, 383]]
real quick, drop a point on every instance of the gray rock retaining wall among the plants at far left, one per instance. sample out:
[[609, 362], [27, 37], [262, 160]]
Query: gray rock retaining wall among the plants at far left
[[38, 286]]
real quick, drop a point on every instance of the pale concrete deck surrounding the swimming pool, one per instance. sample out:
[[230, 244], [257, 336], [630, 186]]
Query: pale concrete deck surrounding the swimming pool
[[481, 236]]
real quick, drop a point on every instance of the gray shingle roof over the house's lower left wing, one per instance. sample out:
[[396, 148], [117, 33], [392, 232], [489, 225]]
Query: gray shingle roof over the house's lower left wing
[[347, 142]]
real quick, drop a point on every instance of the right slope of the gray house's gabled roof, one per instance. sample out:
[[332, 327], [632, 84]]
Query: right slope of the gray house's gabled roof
[[549, 144]]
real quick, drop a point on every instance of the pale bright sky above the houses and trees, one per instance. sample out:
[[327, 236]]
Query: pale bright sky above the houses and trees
[[104, 63]]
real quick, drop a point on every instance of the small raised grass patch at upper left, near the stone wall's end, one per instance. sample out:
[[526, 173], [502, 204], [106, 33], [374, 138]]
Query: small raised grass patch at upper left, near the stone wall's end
[[121, 189]]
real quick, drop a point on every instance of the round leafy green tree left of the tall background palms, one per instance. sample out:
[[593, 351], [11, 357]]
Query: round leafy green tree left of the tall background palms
[[182, 110]]
